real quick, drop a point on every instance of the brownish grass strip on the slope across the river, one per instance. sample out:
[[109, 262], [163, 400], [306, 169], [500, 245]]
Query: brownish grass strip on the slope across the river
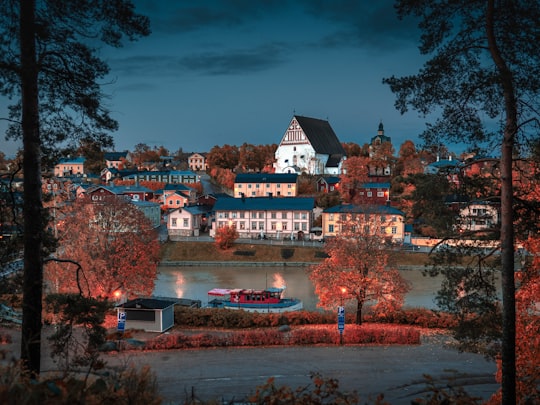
[[208, 251]]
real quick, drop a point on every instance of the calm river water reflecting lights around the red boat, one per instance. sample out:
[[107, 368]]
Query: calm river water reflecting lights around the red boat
[[195, 282]]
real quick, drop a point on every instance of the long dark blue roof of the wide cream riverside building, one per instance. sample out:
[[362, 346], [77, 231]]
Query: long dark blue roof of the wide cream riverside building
[[265, 203]]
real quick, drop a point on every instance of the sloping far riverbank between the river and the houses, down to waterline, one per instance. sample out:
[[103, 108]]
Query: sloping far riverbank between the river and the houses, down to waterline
[[189, 253]]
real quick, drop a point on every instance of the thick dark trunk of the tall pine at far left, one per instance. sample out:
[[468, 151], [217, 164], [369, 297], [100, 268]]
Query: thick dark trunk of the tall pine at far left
[[32, 208]]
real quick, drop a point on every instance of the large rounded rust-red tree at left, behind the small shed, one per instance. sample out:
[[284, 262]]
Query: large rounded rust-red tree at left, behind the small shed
[[115, 246]]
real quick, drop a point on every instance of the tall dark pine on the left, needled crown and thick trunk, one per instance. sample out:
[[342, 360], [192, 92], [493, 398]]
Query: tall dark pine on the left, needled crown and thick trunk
[[48, 66]]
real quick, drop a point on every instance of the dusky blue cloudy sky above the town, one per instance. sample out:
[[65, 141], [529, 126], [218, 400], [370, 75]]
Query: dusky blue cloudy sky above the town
[[216, 72]]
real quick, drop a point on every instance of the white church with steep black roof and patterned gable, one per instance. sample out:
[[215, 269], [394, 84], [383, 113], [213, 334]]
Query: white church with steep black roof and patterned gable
[[310, 146]]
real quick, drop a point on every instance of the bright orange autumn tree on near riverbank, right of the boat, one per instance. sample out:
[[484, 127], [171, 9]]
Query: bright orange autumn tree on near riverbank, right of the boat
[[357, 268]]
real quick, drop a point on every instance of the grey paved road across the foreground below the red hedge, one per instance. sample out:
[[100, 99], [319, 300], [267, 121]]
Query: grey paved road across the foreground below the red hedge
[[232, 374]]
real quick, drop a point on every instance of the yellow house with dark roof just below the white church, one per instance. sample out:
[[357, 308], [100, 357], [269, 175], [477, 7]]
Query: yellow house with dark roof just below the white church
[[265, 185]]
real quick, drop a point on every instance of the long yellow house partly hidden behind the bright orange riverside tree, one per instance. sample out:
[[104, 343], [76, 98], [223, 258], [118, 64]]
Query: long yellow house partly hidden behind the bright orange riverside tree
[[383, 220]]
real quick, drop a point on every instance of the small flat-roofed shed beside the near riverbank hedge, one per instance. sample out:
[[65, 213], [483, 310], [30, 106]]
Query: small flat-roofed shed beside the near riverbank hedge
[[149, 314]]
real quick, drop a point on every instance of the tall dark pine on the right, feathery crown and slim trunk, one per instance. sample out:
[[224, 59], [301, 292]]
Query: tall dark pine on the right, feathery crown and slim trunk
[[485, 64]]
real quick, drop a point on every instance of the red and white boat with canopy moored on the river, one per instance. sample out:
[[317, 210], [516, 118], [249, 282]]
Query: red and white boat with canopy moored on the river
[[269, 300]]
